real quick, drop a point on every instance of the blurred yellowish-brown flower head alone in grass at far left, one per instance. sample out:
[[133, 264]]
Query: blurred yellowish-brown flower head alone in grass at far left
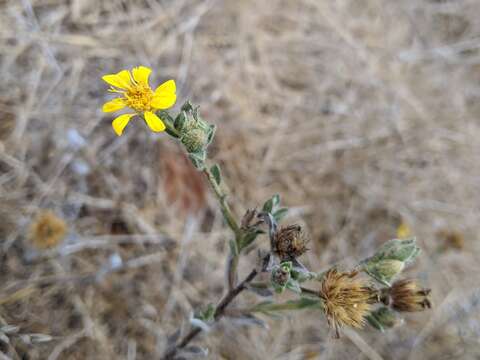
[[47, 230]]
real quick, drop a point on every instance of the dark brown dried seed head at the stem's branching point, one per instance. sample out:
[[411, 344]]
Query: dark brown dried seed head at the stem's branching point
[[289, 242]]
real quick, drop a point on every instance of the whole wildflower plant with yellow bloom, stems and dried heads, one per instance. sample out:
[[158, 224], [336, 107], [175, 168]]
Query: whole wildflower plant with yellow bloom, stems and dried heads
[[369, 293]]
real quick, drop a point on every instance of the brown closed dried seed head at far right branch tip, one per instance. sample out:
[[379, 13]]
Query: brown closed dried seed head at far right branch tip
[[407, 295]]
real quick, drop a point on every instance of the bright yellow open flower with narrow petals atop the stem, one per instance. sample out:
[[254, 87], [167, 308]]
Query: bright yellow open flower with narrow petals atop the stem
[[137, 95]]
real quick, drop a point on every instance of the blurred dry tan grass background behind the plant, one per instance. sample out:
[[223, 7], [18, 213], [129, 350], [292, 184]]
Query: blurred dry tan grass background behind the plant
[[362, 114]]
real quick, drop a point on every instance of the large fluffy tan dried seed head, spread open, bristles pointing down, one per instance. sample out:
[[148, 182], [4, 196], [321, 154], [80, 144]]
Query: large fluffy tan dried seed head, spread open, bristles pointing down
[[346, 299]]
